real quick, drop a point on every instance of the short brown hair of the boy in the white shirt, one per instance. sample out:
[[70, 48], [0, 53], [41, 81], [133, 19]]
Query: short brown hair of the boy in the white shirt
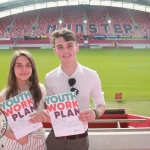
[[67, 34]]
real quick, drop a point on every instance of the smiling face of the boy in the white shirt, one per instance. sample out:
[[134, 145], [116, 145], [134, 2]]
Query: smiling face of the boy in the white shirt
[[65, 50]]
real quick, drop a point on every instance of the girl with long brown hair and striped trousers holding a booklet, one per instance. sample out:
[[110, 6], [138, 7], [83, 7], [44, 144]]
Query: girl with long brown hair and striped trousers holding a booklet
[[23, 76]]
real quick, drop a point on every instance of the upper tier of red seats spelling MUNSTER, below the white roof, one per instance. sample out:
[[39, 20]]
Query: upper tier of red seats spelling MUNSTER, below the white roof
[[97, 17]]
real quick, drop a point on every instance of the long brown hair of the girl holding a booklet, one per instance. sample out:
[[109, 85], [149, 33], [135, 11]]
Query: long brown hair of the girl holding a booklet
[[12, 89]]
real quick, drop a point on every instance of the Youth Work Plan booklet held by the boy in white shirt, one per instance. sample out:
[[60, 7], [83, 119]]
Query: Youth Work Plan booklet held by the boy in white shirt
[[63, 110]]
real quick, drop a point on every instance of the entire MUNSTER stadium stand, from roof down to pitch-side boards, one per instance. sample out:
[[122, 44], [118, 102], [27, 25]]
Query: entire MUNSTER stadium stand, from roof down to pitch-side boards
[[125, 25]]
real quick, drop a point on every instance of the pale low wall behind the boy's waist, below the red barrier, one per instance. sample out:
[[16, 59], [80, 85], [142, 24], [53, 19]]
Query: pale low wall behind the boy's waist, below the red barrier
[[117, 139]]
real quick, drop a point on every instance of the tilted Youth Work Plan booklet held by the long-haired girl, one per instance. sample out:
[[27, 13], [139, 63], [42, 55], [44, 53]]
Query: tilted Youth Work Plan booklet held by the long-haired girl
[[17, 110]]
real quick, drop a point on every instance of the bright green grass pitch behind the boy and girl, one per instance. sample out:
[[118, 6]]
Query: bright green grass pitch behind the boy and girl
[[126, 71]]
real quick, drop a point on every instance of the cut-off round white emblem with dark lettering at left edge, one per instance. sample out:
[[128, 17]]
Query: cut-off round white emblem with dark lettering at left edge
[[3, 123]]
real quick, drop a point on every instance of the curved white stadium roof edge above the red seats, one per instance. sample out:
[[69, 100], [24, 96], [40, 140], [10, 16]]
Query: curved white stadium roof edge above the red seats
[[9, 7]]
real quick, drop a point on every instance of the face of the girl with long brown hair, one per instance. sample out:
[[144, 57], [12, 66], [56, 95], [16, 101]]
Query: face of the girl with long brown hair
[[22, 68]]
